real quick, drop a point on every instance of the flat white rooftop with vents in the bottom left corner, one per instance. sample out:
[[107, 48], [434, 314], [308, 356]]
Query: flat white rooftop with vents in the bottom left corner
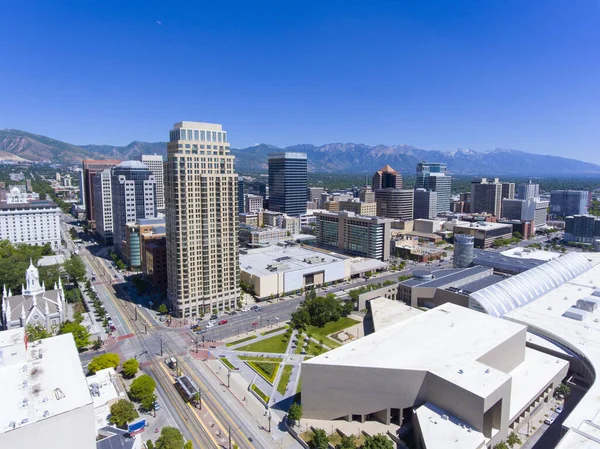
[[41, 382]]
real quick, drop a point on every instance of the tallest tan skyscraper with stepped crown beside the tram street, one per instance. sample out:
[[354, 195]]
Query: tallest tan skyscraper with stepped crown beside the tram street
[[201, 190]]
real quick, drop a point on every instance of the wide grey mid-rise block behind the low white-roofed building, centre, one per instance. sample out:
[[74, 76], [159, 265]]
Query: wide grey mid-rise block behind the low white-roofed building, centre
[[365, 236]]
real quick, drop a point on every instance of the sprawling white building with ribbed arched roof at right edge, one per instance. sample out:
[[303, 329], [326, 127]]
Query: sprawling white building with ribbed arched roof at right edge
[[558, 302]]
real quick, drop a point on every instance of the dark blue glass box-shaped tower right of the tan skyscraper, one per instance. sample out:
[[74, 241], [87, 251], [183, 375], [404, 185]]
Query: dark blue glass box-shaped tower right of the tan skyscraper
[[288, 177]]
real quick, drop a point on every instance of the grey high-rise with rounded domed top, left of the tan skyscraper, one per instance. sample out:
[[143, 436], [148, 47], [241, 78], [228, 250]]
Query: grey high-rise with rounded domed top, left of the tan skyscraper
[[134, 196]]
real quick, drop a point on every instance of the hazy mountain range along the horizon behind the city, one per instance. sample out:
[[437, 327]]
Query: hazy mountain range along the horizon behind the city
[[19, 145]]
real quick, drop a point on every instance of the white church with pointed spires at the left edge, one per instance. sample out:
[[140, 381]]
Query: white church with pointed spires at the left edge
[[35, 305]]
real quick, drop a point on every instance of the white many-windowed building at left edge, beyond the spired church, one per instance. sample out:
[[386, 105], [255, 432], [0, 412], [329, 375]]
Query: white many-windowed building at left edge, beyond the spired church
[[31, 222]]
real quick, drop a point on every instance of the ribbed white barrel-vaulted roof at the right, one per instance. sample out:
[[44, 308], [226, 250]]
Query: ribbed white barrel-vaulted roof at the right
[[526, 287]]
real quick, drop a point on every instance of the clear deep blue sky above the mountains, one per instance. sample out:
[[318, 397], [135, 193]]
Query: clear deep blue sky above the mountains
[[434, 74]]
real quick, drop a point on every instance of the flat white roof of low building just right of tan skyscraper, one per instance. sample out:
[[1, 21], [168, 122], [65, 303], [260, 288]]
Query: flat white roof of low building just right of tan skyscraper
[[276, 259]]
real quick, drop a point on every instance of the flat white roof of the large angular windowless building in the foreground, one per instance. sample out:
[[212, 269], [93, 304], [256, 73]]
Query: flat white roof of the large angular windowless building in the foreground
[[447, 341]]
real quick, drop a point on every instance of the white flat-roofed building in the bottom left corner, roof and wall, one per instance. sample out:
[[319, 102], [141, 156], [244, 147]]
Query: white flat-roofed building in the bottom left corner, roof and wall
[[45, 399]]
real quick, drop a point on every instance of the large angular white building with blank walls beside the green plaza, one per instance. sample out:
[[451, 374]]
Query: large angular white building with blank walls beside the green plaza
[[462, 376]]
